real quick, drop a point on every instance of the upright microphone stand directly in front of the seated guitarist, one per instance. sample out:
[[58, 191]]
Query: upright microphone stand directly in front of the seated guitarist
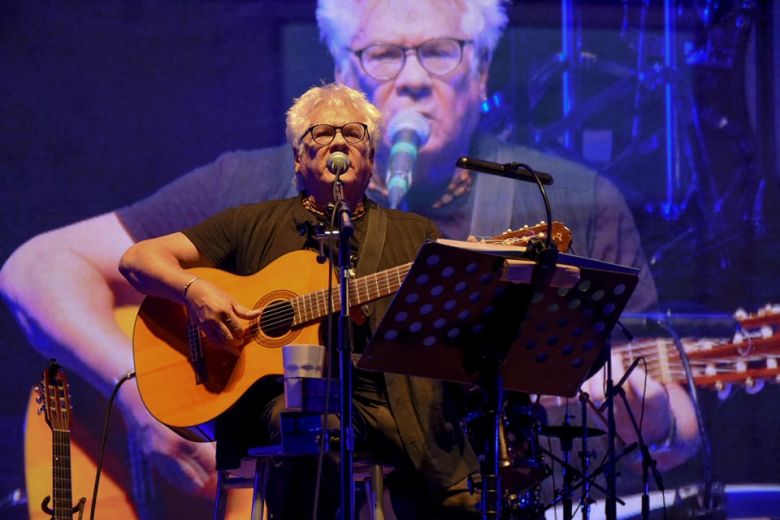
[[346, 439]]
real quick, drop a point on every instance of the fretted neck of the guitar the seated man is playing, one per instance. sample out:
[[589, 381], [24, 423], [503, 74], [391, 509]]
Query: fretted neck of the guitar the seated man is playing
[[314, 306]]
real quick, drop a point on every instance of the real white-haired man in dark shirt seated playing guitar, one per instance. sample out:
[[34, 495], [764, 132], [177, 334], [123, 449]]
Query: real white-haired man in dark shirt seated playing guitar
[[388, 419]]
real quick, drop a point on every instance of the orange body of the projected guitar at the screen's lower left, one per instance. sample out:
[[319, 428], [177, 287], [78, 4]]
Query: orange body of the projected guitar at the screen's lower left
[[129, 488]]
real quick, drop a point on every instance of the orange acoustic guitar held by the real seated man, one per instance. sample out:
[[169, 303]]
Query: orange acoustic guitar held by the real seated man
[[185, 380]]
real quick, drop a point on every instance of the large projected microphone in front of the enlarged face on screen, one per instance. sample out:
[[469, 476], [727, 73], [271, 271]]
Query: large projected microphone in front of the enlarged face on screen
[[408, 132]]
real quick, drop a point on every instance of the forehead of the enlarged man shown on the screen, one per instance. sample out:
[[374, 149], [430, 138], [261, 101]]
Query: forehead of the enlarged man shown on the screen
[[408, 21]]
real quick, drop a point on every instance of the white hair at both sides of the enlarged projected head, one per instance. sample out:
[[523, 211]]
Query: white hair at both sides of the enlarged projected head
[[340, 20]]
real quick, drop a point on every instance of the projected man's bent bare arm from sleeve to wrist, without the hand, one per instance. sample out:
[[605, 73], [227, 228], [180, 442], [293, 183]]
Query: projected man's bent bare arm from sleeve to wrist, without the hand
[[62, 287]]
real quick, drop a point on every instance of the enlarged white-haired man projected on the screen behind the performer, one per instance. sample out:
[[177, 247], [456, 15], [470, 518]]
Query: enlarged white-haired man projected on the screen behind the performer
[[447, 93]]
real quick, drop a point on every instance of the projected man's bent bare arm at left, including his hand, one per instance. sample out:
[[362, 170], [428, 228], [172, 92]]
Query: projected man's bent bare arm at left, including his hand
[[63, 287]]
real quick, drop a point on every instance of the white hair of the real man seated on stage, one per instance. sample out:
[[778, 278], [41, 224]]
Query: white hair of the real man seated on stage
[[330, 95]]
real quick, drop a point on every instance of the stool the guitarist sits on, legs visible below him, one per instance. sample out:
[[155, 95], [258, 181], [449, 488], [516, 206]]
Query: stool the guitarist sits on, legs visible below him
[[255, 473]]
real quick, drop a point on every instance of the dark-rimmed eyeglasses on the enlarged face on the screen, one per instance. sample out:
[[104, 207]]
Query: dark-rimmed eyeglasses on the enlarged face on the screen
[[384, 61]]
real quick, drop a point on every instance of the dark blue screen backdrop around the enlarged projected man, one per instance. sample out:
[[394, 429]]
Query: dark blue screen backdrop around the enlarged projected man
[[103, 102]]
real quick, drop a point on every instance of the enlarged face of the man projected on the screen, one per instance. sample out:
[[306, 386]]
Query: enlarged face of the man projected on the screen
[[425, 31]]
